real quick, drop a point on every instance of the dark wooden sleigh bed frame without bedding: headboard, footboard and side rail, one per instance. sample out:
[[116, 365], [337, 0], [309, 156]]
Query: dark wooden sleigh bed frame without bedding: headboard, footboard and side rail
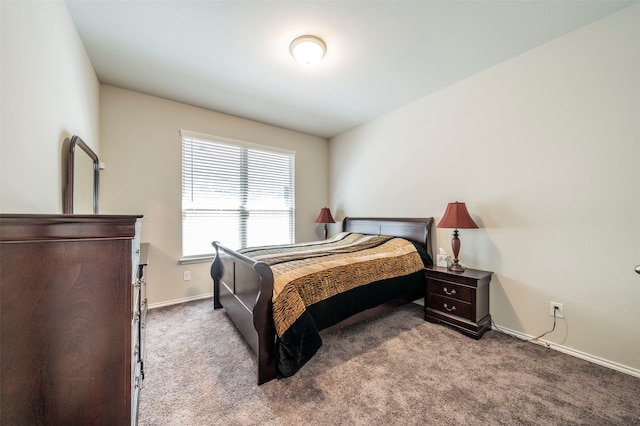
[[244, 287]]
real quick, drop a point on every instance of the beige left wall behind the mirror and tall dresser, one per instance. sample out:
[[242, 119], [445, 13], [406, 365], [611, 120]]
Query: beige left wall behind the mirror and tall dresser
[[49, 93]]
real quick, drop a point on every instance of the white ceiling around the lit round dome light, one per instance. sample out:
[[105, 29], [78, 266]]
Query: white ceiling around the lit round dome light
[[232, 56]]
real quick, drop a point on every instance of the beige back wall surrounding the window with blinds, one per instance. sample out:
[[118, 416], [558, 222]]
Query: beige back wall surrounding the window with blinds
[[141, 148]]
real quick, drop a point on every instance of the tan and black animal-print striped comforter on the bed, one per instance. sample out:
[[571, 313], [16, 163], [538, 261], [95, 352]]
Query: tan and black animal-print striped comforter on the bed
[[311, 272]]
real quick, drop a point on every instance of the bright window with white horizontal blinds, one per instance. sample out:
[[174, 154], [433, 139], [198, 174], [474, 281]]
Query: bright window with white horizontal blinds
[[236, 193]]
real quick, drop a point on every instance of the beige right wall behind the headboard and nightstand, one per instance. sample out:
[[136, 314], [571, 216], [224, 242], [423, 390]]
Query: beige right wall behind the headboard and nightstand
[[545, 151]]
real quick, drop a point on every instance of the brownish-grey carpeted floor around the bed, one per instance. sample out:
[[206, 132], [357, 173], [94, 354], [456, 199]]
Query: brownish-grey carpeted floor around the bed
[[394, 369]]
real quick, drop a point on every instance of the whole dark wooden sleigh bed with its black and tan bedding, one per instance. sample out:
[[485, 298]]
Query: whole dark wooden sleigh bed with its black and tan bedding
[[244, 287]]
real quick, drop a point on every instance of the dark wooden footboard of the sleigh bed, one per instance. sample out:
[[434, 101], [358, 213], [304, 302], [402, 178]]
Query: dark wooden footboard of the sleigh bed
[[244, 288]]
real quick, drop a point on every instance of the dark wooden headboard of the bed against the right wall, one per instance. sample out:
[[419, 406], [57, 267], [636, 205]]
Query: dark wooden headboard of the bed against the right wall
[[414, 229]]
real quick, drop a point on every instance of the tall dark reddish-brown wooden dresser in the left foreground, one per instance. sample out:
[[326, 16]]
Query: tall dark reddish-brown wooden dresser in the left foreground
[[71, 305]]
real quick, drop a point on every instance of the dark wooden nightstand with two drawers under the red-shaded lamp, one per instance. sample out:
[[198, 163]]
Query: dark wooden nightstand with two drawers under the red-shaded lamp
[[460, 300]]
